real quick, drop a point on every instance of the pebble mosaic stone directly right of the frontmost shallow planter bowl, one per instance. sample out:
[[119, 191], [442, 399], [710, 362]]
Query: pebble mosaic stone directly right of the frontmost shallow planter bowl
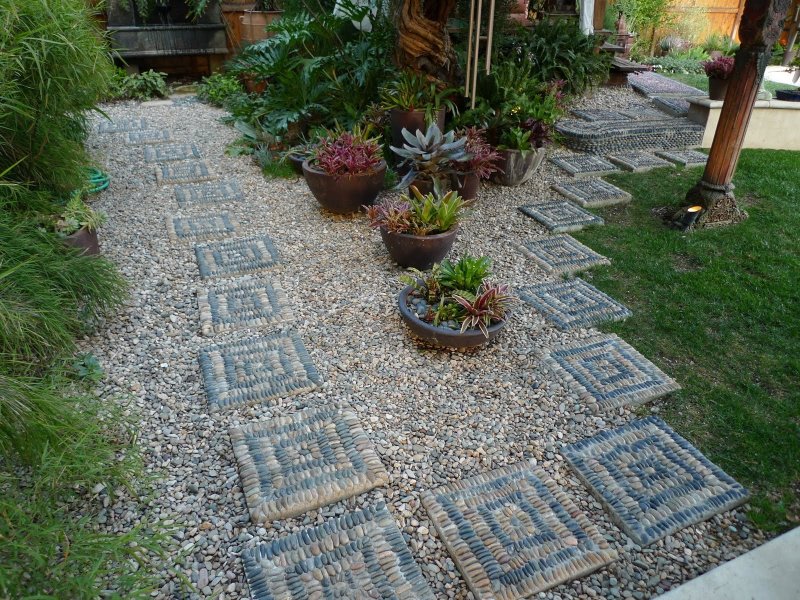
[[573, 303]]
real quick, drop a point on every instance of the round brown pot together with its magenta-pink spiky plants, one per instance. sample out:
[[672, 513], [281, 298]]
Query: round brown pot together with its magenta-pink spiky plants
[[345, 171]]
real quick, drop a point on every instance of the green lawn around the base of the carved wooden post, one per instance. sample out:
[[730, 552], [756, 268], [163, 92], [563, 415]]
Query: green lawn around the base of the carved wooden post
[[719, 310]]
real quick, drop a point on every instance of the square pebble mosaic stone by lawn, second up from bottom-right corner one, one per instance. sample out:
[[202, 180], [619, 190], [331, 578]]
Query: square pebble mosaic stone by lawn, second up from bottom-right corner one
[[609, 373]]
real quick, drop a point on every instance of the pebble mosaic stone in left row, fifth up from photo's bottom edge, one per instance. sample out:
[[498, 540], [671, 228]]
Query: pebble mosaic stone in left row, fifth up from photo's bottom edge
[[236, 257]]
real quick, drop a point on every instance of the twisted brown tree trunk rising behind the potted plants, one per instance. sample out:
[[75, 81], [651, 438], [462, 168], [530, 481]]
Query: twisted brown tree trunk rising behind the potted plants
[[423, 43]]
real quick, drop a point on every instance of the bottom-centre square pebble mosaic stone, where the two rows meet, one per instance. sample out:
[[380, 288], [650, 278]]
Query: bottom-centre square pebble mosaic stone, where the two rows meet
[[514, 533]]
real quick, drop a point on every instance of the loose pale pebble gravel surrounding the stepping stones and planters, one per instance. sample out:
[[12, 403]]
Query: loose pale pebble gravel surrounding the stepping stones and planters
[[435, 416]]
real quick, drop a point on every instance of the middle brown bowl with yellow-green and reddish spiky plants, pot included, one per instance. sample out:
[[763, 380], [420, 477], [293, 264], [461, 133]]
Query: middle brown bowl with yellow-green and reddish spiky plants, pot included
[[418, 229]]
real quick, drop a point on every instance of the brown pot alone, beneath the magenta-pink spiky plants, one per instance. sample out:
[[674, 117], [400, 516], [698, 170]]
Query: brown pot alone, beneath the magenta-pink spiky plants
[[347, 193]]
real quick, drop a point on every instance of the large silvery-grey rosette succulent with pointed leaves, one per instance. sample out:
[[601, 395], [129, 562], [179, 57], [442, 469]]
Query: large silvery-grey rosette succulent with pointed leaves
[[430, 158]]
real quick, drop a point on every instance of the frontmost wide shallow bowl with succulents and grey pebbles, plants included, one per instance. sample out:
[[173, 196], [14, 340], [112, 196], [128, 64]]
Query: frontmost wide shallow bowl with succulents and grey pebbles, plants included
[[455, 304]]
